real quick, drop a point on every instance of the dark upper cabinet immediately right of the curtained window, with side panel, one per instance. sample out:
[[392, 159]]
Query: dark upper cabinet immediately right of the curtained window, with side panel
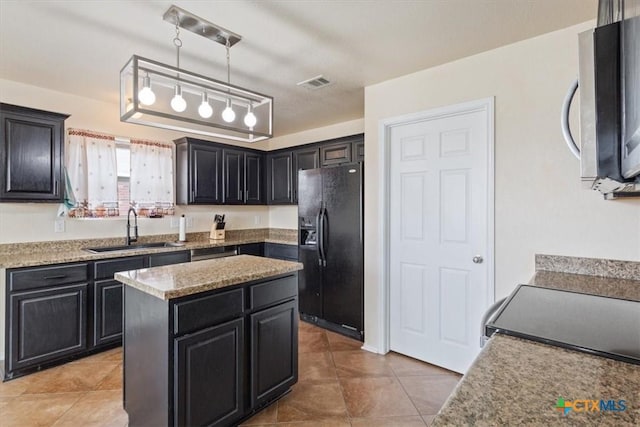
[[198, 172]]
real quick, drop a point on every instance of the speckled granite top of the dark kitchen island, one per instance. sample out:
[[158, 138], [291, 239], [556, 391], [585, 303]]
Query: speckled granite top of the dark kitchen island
[[178, 280]]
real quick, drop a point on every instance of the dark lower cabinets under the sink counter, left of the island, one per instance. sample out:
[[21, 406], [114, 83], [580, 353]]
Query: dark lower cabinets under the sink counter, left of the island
[[60, 312]]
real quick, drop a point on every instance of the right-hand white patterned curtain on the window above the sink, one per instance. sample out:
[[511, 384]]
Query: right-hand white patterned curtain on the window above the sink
[[151, 181]]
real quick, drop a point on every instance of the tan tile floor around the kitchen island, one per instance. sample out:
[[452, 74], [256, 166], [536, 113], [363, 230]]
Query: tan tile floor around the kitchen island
[[339, 385]]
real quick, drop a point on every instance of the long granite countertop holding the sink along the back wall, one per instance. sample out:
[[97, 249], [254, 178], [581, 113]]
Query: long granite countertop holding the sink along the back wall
[[43, 253]]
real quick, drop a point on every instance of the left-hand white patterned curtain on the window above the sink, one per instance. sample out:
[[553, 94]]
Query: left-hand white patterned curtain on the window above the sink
[[92, 175]]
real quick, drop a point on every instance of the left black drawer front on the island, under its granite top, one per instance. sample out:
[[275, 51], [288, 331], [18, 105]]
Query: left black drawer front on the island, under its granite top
[[207, 311]]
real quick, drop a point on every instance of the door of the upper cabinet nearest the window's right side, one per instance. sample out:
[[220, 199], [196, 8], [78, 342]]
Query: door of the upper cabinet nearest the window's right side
[[205, 163]]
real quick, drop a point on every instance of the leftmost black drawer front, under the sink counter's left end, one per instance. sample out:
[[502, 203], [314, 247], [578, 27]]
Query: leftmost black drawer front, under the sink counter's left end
[[32, 278]]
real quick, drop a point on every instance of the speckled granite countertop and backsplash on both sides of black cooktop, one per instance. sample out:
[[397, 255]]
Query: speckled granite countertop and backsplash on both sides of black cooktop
[[515, 381]]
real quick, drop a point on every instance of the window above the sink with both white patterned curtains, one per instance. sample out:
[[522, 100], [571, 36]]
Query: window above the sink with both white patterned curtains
[[107, 175]]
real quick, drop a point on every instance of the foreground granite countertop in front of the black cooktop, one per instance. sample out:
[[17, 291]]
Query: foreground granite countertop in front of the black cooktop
[[518, 382]]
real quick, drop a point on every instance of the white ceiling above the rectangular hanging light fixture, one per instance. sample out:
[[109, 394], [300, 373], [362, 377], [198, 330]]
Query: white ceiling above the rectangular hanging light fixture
[[79, 47]]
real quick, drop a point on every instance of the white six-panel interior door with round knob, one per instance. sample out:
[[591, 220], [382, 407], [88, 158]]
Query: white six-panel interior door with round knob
[[439, 224]]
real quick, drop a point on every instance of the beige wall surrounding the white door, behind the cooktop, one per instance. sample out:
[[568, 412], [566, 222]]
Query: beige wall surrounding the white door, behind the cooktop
[[540, 206]]
